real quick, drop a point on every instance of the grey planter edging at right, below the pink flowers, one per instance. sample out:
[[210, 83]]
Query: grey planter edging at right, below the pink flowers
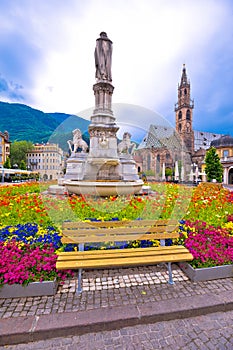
[[207, 273]]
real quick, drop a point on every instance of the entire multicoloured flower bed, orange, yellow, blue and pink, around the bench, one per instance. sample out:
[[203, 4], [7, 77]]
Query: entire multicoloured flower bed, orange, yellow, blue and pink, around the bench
[[29, 241]]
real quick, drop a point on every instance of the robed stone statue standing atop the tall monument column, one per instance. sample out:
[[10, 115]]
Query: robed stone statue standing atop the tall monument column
[[103, 58]]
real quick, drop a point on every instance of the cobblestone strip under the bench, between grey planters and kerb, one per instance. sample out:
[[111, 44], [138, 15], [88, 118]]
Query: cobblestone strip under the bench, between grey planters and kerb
[[109, 288]]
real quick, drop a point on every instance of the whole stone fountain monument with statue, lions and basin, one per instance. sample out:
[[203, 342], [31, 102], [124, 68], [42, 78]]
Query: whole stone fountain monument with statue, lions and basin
[[106, 168]]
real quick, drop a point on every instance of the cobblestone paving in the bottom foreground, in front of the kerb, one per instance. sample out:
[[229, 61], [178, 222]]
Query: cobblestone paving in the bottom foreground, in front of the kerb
[[210, 332]]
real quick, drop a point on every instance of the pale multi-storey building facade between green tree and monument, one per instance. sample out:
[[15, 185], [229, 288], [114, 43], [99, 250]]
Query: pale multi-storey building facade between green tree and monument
[[47, 160]]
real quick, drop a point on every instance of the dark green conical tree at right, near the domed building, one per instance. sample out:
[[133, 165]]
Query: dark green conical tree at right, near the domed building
[[213, 169]]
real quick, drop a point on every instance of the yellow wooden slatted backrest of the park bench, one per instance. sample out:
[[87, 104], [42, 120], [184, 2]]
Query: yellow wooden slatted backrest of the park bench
[[118, 231]]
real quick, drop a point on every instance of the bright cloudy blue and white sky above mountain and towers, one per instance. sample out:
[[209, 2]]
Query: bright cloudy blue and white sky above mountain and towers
[[47, 55]]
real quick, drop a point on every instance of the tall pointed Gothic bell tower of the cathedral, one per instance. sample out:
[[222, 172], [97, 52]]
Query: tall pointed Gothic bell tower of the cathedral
[[184, 113]]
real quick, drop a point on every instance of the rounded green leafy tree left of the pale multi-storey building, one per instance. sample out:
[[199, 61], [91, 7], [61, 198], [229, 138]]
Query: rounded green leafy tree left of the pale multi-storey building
[[18, 152]]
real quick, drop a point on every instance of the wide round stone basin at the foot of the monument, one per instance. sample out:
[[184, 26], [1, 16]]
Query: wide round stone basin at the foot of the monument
[[104, 188]]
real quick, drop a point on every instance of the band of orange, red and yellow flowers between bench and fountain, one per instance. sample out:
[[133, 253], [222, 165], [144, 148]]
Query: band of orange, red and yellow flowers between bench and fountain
[[24, 203]]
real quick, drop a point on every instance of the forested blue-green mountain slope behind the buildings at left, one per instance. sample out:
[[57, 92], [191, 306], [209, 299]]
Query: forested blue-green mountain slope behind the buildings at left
[[26, 123]]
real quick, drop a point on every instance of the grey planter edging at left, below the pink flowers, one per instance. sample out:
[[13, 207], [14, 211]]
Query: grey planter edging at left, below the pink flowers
[[31, 290]]
